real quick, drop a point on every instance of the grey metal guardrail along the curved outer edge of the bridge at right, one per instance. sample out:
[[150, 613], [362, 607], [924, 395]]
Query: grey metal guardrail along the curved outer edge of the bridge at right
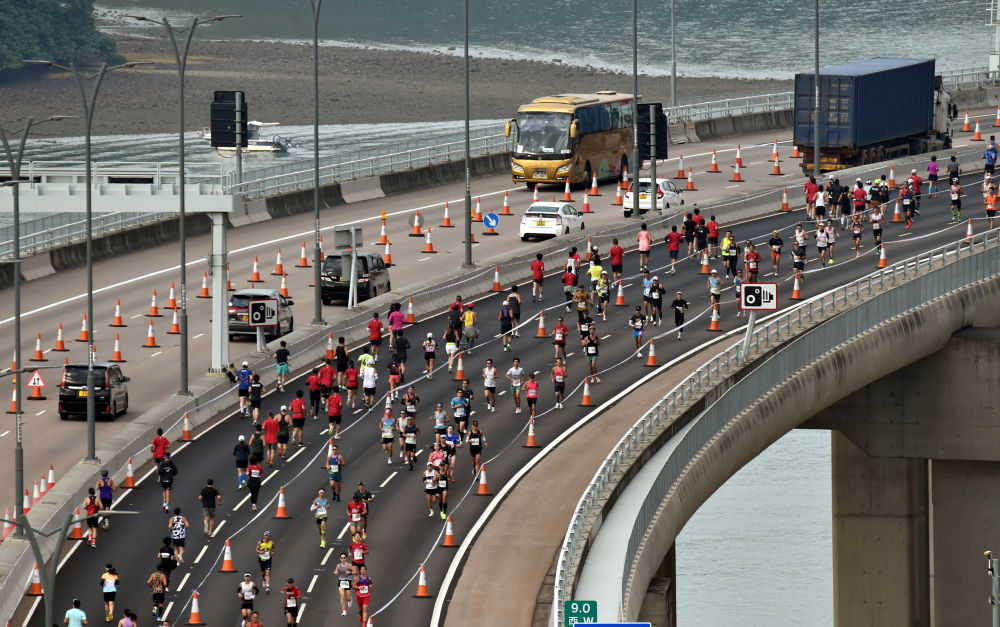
[[873, 299]]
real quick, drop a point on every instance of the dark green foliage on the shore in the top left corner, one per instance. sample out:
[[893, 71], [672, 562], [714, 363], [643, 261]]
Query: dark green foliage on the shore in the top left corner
[[56, 30]]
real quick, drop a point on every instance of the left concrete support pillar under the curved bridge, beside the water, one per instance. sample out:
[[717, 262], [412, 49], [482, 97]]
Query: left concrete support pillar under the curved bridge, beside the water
[[880, 538]]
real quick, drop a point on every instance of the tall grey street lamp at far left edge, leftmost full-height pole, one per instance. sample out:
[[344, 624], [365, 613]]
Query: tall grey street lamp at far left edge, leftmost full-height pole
[[14, 160]]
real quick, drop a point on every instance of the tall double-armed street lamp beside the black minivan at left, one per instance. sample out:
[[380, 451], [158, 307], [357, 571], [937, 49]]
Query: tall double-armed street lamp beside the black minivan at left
[[89, 102]]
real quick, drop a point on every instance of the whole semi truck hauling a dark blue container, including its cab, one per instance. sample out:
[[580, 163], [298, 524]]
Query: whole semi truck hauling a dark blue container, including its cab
[[870, 111]]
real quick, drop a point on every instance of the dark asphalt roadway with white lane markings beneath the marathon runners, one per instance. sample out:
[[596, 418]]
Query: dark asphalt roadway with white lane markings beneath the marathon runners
[[401, 535]]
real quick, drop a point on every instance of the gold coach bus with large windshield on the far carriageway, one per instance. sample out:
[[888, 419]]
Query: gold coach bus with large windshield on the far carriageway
[[571, 136]]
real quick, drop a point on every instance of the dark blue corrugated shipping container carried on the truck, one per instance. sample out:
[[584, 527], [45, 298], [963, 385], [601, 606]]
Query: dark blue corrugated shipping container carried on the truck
[[867, 102]]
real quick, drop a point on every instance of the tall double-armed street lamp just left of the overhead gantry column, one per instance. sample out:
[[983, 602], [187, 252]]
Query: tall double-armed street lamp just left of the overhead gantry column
[[180, 59]]
